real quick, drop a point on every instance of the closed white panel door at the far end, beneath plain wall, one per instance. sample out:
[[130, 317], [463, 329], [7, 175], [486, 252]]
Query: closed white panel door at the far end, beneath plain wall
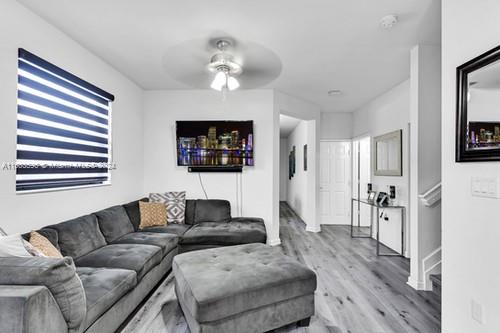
[[335, 182]]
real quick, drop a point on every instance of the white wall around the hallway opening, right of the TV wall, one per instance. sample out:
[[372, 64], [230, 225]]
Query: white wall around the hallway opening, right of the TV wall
[[298, 108]]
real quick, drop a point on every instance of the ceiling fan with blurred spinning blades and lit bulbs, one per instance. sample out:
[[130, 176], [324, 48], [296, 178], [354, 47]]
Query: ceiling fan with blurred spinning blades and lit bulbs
[[221, 63]]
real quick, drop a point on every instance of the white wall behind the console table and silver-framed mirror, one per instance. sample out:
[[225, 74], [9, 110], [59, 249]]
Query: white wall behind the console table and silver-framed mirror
[[387, 113]]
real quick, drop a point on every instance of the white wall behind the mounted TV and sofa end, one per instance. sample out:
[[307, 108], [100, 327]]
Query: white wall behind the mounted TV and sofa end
[[161, 173]]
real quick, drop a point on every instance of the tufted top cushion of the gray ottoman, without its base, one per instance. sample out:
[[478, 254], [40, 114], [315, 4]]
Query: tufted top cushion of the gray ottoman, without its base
[[217, 283]]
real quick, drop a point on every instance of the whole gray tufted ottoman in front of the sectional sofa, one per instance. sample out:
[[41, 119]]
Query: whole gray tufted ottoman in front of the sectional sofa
[[246, 288]]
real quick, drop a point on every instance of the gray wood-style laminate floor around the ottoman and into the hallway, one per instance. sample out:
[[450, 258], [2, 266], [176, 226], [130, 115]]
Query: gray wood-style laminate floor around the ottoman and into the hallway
[[358, 292]]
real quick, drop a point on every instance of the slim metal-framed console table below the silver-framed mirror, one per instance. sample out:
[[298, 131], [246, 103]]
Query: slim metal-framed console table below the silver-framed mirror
[[378, 208]]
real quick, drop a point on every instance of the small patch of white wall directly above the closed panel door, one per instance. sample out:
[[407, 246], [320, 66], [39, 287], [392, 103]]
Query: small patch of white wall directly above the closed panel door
[[336, 125]]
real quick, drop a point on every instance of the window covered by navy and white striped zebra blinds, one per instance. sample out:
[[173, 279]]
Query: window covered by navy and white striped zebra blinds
[[63, 128]]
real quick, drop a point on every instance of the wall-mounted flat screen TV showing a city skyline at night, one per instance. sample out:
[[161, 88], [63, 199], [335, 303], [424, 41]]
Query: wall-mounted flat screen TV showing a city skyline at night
[[215, 143]]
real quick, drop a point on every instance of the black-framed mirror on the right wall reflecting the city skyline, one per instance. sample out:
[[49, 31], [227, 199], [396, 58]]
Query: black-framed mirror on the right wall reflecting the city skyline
[[478, 109]]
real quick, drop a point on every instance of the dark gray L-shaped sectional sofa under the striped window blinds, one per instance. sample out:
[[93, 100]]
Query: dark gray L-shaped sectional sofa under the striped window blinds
[[110, 266]]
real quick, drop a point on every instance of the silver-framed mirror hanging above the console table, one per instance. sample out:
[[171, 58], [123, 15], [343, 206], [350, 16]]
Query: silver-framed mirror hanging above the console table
[[387, 154]]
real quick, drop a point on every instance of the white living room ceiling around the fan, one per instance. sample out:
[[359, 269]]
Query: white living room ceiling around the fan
[[322, 44]]
